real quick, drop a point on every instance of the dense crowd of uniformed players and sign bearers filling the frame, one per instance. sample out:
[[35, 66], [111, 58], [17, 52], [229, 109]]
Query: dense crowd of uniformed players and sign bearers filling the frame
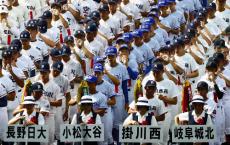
[[114, 62]]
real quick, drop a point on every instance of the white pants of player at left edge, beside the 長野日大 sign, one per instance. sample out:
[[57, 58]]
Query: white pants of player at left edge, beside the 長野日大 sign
[[3, 121]]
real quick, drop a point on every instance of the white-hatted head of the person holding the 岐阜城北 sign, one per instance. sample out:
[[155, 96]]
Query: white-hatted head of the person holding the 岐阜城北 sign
[[198, 104]]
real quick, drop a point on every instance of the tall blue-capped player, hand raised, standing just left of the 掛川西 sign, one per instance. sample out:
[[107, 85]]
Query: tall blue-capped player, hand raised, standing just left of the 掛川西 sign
[[117, 74]]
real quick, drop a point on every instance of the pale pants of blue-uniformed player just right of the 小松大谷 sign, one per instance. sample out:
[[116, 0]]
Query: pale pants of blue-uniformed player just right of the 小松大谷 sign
[[107, 120]]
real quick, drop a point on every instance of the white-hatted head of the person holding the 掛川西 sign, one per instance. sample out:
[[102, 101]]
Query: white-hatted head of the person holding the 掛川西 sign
[[142, 105]]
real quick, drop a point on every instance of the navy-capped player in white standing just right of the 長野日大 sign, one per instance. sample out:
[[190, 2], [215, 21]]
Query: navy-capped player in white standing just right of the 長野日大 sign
[[53, 93]]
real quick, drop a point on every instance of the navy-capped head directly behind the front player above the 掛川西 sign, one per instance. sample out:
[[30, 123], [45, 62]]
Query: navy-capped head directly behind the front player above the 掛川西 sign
[[158, 70]]
